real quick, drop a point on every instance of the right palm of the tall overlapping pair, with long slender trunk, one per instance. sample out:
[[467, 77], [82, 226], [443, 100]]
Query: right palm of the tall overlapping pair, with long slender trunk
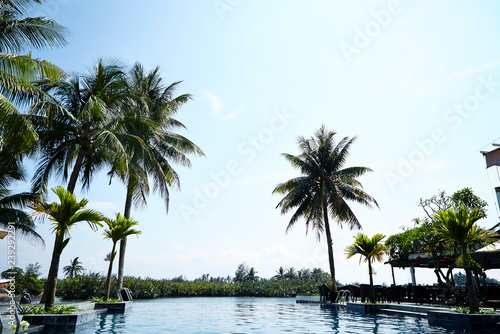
[[149, 116]]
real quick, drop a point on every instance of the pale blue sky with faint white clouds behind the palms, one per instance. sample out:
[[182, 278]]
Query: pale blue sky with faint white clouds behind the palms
[[417, 82]]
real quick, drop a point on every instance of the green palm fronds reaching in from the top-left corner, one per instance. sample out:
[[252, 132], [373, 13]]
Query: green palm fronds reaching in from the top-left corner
[[17, 71]]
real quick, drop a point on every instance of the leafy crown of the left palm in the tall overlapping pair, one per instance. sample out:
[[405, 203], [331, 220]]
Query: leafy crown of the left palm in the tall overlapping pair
[[76, 128]]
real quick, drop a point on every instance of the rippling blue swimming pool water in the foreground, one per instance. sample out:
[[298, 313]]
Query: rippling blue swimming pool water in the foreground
[[250, 315]]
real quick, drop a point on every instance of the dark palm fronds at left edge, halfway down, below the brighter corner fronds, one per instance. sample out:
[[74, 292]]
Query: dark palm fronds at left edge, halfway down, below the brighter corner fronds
[[11, 205]]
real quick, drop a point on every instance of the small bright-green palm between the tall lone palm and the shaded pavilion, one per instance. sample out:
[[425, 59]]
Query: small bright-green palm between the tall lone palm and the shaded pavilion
[[371, 250]]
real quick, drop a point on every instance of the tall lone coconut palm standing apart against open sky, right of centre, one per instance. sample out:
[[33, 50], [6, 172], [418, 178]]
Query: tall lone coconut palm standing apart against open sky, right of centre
[[324, 187]]
